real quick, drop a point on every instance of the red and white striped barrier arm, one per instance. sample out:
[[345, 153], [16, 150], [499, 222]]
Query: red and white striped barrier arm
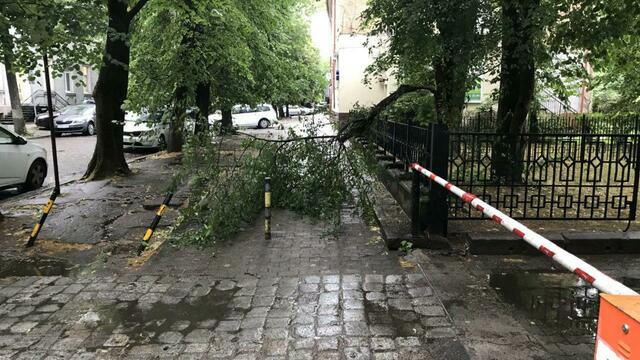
[[572, 263]]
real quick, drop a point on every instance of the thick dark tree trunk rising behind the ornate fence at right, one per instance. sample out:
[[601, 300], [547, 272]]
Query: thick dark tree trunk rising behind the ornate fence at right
[[517, 84]]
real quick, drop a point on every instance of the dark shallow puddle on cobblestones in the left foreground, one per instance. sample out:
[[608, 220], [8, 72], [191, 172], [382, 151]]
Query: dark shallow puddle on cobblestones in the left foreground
[[144, 324]]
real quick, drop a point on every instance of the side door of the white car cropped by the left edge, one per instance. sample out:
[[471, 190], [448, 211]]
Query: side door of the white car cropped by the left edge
[[13, 160]]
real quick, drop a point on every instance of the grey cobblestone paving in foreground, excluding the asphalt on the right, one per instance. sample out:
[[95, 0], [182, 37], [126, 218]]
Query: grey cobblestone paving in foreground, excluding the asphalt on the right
[[300, 296]]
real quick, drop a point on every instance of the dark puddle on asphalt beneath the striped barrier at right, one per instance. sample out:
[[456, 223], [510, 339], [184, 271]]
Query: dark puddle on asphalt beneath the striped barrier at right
[[559, 302]]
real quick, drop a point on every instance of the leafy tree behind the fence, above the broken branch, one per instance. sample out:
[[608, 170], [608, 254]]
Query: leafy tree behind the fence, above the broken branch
[[436, 44]]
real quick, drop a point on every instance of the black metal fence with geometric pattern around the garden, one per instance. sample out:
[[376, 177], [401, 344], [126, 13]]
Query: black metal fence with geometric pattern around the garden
[[573, 172]]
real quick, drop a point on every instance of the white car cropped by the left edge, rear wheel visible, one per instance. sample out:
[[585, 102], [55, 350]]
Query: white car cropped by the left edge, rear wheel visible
[[23, 164]]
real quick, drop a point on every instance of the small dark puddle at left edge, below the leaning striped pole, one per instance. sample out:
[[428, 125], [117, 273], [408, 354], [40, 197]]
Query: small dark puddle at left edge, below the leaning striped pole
[[33, 266]]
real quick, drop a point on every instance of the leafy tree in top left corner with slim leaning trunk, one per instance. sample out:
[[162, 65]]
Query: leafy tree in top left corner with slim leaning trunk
[[65, 30]]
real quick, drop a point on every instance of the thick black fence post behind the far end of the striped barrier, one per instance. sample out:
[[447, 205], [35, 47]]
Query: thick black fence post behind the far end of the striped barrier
[[438, 212]]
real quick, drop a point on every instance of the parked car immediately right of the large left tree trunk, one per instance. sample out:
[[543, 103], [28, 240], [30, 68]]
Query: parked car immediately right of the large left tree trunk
[[145, 131]]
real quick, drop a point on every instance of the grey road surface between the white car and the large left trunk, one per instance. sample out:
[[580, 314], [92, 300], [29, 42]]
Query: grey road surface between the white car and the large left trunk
[[74, 154]]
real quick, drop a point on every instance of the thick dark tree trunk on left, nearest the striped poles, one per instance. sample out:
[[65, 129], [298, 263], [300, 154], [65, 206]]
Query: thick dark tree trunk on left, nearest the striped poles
[[109, 94]]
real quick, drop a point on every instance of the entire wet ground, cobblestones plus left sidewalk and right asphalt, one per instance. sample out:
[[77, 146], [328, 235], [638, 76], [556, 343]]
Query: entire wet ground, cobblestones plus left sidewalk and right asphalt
[[81, 293]]
